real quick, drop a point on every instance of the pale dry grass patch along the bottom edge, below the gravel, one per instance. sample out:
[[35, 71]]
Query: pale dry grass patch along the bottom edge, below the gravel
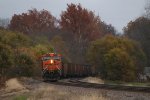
[[51, 93]]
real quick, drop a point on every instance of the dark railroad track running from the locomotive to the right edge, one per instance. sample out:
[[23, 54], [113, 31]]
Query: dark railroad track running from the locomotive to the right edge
[[78, 83]]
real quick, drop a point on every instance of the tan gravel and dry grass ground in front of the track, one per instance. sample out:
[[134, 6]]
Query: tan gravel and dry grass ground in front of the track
[[30, 89]]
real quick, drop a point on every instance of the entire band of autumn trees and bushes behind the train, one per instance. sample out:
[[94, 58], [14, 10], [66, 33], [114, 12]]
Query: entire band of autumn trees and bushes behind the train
[[81, 37]]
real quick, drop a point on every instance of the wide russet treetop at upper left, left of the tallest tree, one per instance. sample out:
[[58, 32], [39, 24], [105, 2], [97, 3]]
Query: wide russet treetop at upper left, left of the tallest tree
[[33, 22]]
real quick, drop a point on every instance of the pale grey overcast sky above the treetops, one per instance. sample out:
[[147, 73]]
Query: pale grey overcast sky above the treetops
[[115, 12]]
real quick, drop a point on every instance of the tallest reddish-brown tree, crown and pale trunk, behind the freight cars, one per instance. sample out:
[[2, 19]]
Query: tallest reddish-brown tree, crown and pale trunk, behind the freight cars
[[81, 27]]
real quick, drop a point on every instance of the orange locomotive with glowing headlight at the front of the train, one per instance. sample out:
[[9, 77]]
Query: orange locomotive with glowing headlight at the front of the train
[[51, 66]]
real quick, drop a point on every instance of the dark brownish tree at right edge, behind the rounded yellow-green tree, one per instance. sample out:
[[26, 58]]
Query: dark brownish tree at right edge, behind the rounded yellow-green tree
[[139, 30]]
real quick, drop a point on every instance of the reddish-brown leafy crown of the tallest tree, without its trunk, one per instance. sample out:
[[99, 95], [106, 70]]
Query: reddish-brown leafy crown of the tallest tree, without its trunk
[[83, 24]]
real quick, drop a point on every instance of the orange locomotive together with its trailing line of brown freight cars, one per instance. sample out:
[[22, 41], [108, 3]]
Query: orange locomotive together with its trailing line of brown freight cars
[[53, 68]]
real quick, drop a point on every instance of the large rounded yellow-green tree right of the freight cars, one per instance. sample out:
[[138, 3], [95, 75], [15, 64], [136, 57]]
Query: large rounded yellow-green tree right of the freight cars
[[106, 54]]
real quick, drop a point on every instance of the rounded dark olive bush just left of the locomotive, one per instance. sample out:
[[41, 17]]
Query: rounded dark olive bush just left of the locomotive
[[25, 62]]
